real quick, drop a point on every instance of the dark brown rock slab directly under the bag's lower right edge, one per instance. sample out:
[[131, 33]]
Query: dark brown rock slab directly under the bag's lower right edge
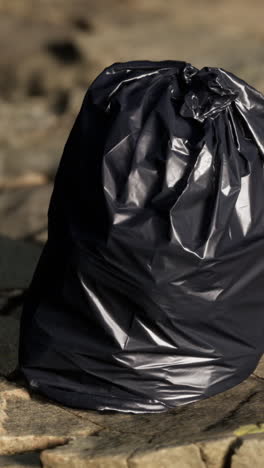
[[215, 416]]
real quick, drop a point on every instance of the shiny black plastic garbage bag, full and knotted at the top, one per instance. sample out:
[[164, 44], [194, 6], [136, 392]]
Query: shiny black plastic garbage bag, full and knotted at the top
[[149, 292]]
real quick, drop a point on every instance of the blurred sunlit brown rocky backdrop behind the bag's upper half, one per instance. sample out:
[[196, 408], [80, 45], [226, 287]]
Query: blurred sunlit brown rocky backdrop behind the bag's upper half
[[51, 50]]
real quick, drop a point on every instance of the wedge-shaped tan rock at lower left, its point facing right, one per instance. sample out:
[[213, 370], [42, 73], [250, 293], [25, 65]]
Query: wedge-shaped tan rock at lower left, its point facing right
[[30, 423]]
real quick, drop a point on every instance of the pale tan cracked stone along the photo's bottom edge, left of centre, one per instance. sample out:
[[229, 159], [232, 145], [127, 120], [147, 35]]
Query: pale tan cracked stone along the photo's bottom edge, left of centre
[[120, 451]]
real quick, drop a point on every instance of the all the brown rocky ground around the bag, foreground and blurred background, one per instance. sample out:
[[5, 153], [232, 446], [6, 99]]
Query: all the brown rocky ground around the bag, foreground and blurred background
[[51, 50]]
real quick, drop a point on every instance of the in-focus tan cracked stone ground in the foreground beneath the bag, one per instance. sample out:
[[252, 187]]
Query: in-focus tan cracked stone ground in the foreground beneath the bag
[[226, 430]]
